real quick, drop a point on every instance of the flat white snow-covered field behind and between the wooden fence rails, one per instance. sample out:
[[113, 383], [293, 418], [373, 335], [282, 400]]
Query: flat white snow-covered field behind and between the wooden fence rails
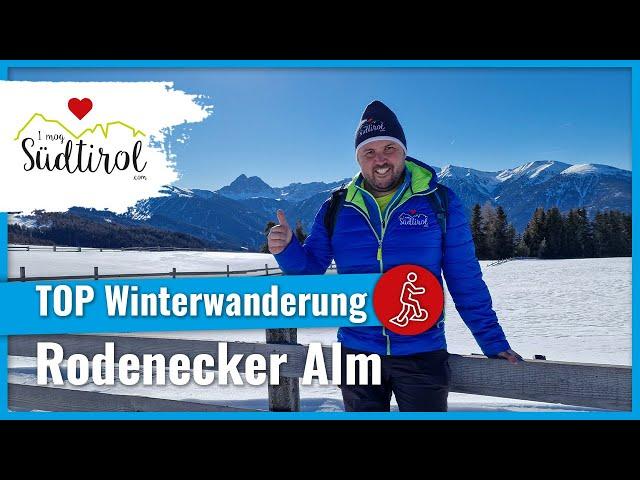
[[568, 310]]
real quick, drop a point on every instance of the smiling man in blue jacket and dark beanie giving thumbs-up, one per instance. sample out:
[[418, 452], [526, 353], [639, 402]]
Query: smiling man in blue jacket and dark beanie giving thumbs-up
[[370, 234]]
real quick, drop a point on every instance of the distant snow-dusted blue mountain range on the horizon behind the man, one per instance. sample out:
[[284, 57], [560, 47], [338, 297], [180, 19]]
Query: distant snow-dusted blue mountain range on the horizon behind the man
[[234, 217]]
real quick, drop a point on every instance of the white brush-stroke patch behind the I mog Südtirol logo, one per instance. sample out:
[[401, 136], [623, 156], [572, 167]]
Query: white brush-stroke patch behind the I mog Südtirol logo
[[152, 107]]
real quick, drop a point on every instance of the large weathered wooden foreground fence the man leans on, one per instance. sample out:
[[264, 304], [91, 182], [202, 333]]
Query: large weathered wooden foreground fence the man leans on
[[578, 384]]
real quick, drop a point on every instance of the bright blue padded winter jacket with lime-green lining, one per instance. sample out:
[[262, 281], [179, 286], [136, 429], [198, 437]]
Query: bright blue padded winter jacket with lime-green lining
[[366, 241]]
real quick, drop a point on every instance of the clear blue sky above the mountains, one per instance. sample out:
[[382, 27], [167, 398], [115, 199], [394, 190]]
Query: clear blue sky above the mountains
[[297, 125]]
